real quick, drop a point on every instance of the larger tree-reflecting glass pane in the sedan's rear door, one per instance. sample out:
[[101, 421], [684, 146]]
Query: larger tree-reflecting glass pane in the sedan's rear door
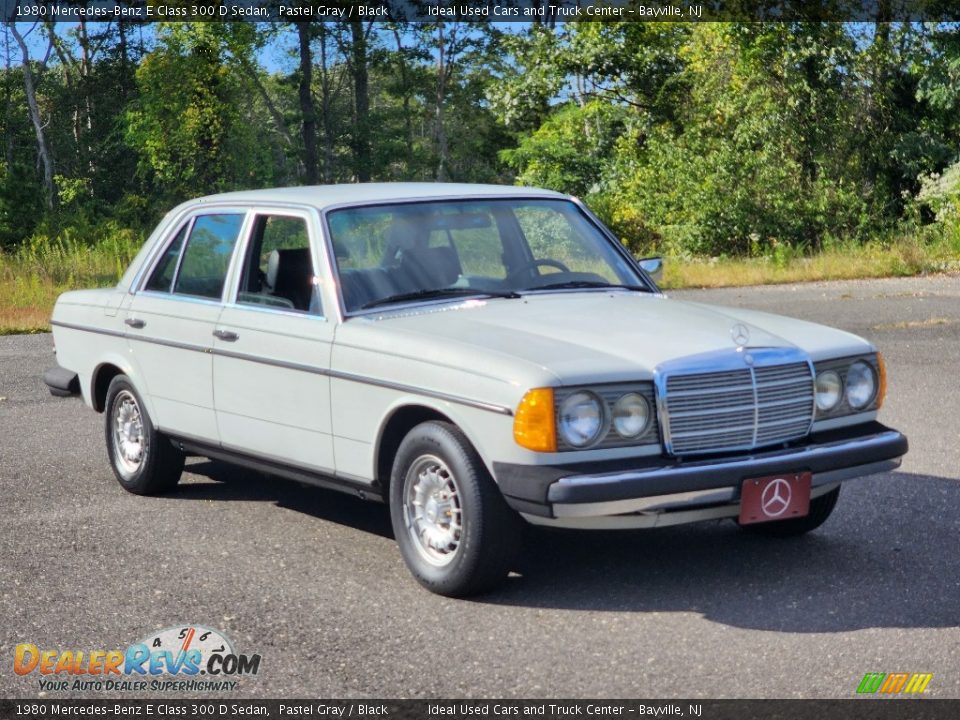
[[206, 258]]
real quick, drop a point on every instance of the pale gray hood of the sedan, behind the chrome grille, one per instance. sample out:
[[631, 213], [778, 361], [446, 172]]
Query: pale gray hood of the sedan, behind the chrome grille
[[593, 336]]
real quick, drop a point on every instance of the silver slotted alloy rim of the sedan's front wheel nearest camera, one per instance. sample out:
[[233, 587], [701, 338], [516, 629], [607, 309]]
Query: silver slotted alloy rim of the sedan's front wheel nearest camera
[[432, 511]]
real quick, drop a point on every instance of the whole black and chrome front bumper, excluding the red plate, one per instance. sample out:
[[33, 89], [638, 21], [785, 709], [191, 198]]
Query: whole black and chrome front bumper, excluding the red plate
[[662, 485]]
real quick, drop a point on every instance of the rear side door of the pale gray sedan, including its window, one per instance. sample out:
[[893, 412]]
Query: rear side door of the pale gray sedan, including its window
[[172, 316]]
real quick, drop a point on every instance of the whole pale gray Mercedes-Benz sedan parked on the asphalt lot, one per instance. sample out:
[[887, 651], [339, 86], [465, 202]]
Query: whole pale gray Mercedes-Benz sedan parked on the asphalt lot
[[475, 357]]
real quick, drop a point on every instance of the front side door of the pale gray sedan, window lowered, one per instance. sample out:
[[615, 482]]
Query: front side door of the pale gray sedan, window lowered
[[272, 346]]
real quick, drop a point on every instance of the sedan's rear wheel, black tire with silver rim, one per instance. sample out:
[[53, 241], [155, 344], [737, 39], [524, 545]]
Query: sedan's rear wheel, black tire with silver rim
[[159, 464]]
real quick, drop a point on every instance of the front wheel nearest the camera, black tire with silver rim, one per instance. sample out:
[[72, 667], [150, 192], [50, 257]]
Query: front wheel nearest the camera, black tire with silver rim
[[434, 455]]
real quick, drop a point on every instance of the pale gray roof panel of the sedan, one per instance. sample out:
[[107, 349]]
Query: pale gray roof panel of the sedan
[[325, 196]]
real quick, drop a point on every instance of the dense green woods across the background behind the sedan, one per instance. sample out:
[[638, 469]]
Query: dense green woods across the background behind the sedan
[[693, 139]]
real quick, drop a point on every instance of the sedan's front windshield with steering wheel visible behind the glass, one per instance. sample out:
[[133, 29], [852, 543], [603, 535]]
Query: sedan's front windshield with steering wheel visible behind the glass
[[436, 250]]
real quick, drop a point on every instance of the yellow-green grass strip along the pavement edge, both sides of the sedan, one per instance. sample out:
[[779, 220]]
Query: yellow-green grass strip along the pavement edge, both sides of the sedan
[[32, 277]]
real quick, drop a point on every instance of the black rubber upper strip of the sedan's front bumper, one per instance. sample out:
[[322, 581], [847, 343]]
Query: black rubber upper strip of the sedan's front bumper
[[648, 477]]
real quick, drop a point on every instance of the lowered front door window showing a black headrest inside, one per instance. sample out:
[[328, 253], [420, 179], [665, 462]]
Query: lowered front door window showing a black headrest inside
[[278, 268]]
